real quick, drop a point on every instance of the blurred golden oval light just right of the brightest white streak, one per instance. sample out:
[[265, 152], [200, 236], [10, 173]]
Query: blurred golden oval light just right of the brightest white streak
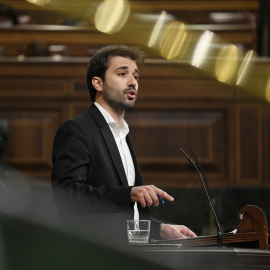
[[227, 63]]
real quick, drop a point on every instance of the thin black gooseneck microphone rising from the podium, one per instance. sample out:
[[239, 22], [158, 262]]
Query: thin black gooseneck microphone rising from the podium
[[198, 167]]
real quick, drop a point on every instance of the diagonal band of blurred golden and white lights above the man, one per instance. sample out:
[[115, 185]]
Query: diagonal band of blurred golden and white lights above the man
[[162, 32]]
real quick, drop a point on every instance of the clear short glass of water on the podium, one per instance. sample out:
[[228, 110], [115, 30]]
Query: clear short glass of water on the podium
[[138, 231]]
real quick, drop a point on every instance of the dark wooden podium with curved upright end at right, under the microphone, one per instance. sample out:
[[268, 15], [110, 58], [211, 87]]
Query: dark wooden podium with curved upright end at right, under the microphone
[[248, 248]]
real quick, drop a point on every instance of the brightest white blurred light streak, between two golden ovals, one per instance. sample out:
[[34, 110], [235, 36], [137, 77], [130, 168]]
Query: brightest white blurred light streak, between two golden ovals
[[202, 49]]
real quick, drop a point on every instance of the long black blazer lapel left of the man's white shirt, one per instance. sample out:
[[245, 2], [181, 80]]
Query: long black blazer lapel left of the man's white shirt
[[110, 142]]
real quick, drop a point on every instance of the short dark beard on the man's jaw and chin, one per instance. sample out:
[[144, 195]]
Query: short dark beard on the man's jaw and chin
[[117, 99]]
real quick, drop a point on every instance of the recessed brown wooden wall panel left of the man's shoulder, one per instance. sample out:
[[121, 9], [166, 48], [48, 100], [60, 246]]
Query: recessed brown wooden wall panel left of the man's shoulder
[[31, 137]]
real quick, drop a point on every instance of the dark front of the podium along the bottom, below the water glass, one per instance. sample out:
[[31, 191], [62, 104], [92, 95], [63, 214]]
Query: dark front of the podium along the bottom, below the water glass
[[177, 257]]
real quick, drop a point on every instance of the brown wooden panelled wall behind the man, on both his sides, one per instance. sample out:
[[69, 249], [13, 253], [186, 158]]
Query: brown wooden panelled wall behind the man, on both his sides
[[178, 106]]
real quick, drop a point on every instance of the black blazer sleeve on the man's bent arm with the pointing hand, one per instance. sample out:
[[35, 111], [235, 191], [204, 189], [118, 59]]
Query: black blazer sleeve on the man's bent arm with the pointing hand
[[70, 176]]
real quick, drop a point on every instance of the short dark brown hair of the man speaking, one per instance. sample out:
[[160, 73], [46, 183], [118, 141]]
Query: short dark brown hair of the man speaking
[[98, 64]]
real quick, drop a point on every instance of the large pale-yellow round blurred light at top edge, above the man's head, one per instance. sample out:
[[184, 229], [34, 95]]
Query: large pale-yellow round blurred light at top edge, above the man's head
[[112, 15]]
